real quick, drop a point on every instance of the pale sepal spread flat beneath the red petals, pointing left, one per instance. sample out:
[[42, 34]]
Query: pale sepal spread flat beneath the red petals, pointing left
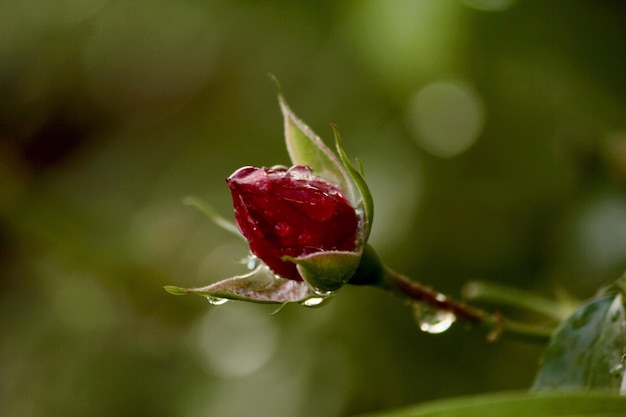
[[259, 286]]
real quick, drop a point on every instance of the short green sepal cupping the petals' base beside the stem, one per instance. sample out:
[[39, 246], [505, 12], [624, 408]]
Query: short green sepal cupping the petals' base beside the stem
[[326, 271]]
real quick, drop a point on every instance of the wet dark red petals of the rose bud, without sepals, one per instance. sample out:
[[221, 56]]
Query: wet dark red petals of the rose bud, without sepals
[[291, 212]]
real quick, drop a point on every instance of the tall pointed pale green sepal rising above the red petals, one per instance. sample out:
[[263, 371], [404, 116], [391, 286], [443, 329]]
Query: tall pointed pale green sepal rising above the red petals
[[306, 148]]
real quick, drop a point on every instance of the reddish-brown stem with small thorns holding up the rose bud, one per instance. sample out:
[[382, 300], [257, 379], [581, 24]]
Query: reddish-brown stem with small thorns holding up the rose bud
[[494, 324]]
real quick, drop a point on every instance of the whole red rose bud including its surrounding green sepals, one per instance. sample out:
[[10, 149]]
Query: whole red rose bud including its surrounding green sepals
[[309, 231]]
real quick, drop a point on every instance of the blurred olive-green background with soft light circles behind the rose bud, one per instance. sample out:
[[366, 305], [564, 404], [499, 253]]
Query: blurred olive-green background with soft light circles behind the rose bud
[[493, 133]]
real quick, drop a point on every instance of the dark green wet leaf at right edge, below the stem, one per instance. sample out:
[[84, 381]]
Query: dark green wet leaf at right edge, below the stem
[[587, 350]]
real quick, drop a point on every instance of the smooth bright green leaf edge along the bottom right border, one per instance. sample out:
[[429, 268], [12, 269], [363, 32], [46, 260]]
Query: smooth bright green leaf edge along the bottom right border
[[577, 404]]
